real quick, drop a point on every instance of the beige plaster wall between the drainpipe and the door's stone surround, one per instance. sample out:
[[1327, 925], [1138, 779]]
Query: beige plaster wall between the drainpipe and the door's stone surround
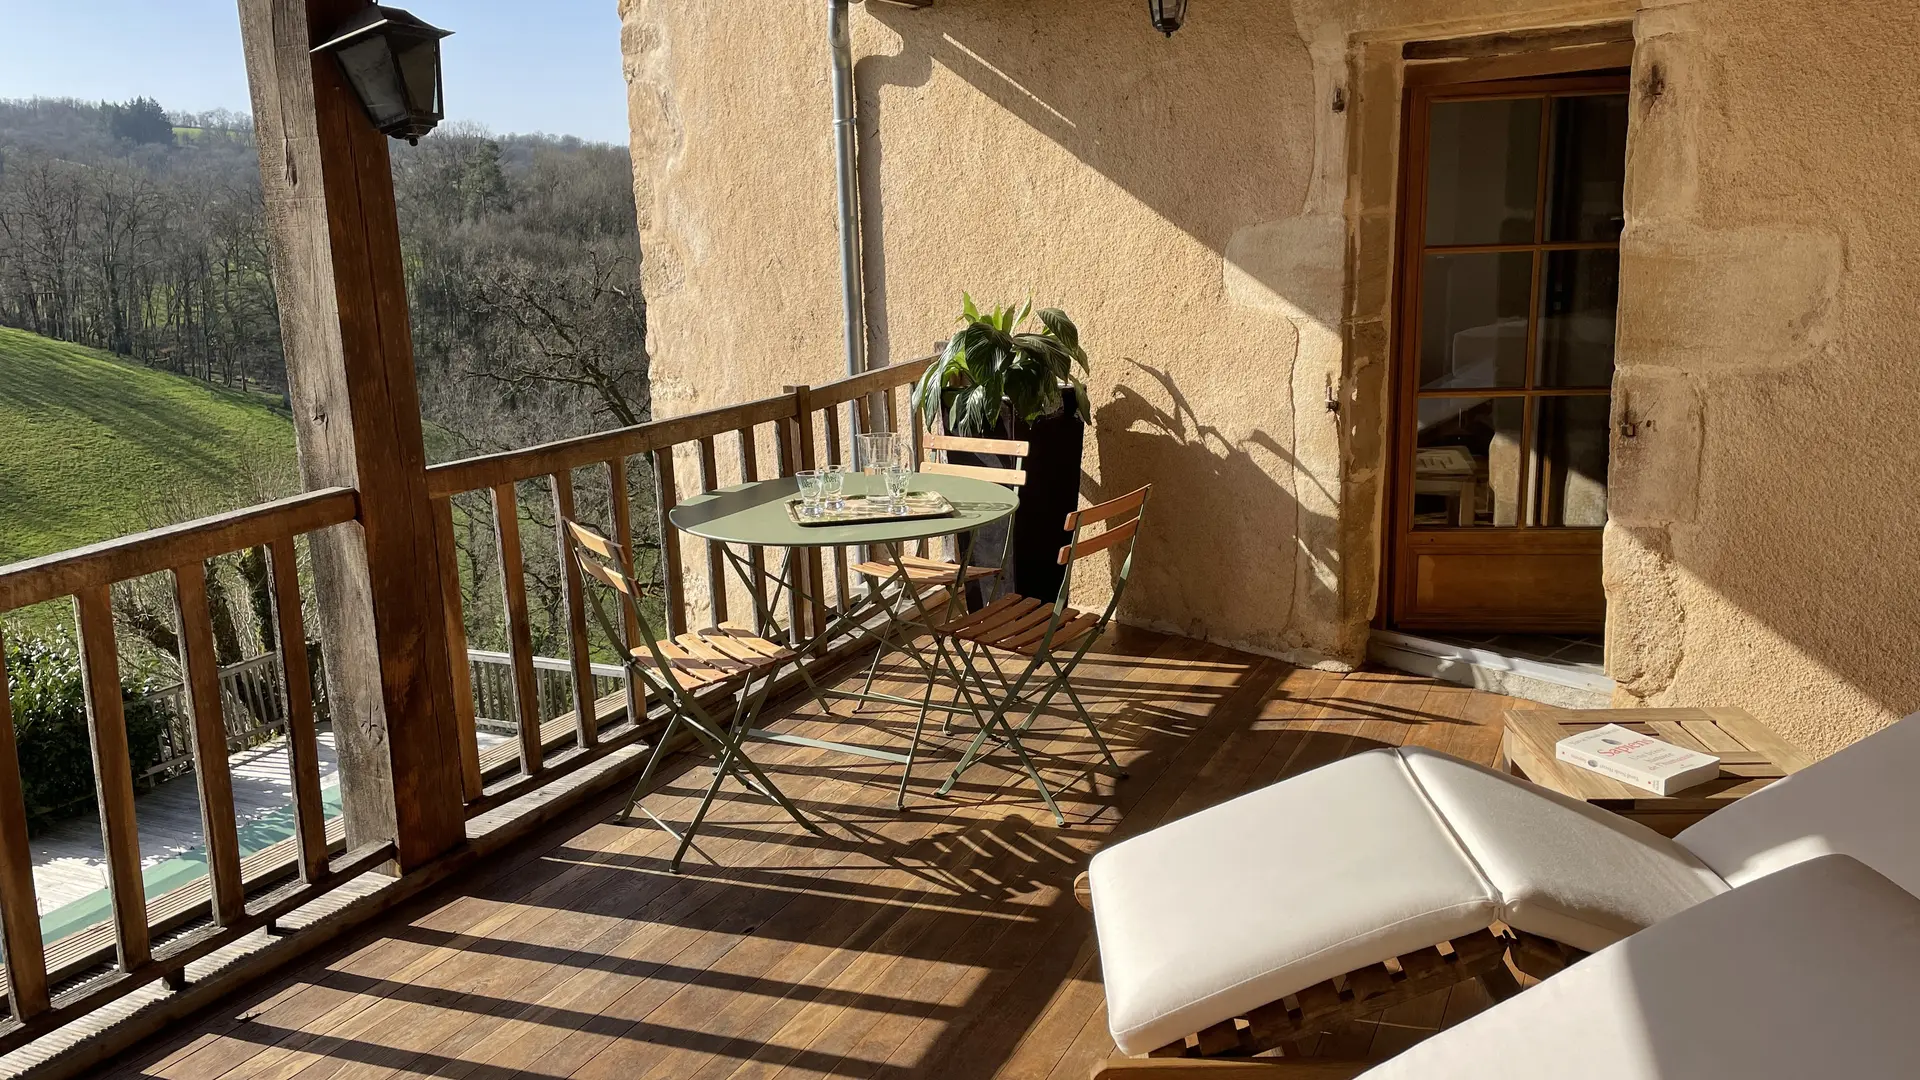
[[1157, 191]]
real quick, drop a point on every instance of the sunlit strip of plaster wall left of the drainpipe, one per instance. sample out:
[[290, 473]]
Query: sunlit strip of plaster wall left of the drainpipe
[[734, 182]]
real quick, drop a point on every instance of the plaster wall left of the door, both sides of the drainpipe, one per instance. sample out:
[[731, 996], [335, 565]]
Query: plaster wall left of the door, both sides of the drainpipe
[[1186, 201]]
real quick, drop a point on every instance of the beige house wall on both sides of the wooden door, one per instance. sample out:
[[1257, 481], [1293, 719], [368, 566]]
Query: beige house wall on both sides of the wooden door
[[1216, 210]]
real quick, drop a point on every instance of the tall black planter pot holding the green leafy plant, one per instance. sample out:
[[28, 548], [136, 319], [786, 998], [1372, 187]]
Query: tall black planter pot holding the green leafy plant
[[1055, 447]]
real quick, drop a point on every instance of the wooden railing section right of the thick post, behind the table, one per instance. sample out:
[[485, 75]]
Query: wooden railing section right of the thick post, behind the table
[[800, 430]]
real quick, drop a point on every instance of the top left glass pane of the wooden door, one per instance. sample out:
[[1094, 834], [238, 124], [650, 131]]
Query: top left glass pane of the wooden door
[[1483, 172]]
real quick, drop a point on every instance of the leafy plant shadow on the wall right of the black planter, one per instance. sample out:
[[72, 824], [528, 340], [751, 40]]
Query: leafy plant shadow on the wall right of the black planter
[[1189, 466]]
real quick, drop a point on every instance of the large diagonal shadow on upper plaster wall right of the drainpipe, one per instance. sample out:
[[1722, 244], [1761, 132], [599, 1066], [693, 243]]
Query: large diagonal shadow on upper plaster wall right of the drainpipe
[[1166, 120]]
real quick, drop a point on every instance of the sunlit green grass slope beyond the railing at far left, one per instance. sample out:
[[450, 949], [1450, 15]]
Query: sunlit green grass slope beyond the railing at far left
[[93, 447]]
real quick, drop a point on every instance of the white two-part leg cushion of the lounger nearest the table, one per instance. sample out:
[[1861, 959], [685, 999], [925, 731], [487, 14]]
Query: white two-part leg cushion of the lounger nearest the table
[[1374, 856]]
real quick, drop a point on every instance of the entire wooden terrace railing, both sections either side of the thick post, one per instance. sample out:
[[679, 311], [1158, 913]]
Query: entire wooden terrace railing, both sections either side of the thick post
[[49, 987]]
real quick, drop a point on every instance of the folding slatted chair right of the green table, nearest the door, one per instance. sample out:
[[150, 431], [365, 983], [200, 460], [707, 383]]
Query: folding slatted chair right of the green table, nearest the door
[[1049, 639]]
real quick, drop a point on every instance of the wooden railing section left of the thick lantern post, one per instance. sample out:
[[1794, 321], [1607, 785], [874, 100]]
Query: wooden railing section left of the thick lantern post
[[41, 994]]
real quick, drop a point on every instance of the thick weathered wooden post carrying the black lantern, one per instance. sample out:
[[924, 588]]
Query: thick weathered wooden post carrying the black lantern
[[337, 266]]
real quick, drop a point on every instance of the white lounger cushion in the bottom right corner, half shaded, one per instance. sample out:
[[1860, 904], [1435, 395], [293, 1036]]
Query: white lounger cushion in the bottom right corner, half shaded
[[1808, 973]]
